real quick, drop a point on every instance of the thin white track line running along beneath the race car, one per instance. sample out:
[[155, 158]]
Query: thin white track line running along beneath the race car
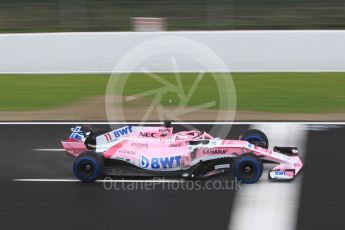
[[99, 181]]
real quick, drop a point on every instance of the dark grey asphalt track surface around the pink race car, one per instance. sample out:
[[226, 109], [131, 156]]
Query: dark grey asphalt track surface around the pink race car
[[69, 205]]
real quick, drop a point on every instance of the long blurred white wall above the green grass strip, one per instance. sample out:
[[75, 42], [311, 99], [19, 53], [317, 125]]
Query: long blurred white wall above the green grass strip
[[239, 50]]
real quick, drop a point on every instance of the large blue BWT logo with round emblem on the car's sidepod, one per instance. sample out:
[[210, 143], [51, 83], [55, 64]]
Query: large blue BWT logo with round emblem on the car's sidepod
[[160, 162]]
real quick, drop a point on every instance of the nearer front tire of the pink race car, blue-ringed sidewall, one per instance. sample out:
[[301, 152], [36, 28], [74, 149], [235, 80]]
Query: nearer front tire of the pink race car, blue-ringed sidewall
[[248, 168]]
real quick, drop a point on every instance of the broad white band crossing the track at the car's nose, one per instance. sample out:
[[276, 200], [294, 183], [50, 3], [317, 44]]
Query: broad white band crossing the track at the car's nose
[[271, 205]]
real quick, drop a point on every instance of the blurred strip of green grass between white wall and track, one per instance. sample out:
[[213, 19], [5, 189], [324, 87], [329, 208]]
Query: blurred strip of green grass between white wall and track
[[270, 92]]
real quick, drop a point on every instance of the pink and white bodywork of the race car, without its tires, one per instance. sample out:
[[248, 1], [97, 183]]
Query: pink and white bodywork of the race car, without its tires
[[157, 148]]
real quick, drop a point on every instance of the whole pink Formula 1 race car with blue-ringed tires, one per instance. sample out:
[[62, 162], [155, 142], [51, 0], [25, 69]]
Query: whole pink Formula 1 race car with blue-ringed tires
[[157, 151]]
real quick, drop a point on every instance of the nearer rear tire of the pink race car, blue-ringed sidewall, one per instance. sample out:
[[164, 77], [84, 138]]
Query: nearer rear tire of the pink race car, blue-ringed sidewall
[[88, 167]]
